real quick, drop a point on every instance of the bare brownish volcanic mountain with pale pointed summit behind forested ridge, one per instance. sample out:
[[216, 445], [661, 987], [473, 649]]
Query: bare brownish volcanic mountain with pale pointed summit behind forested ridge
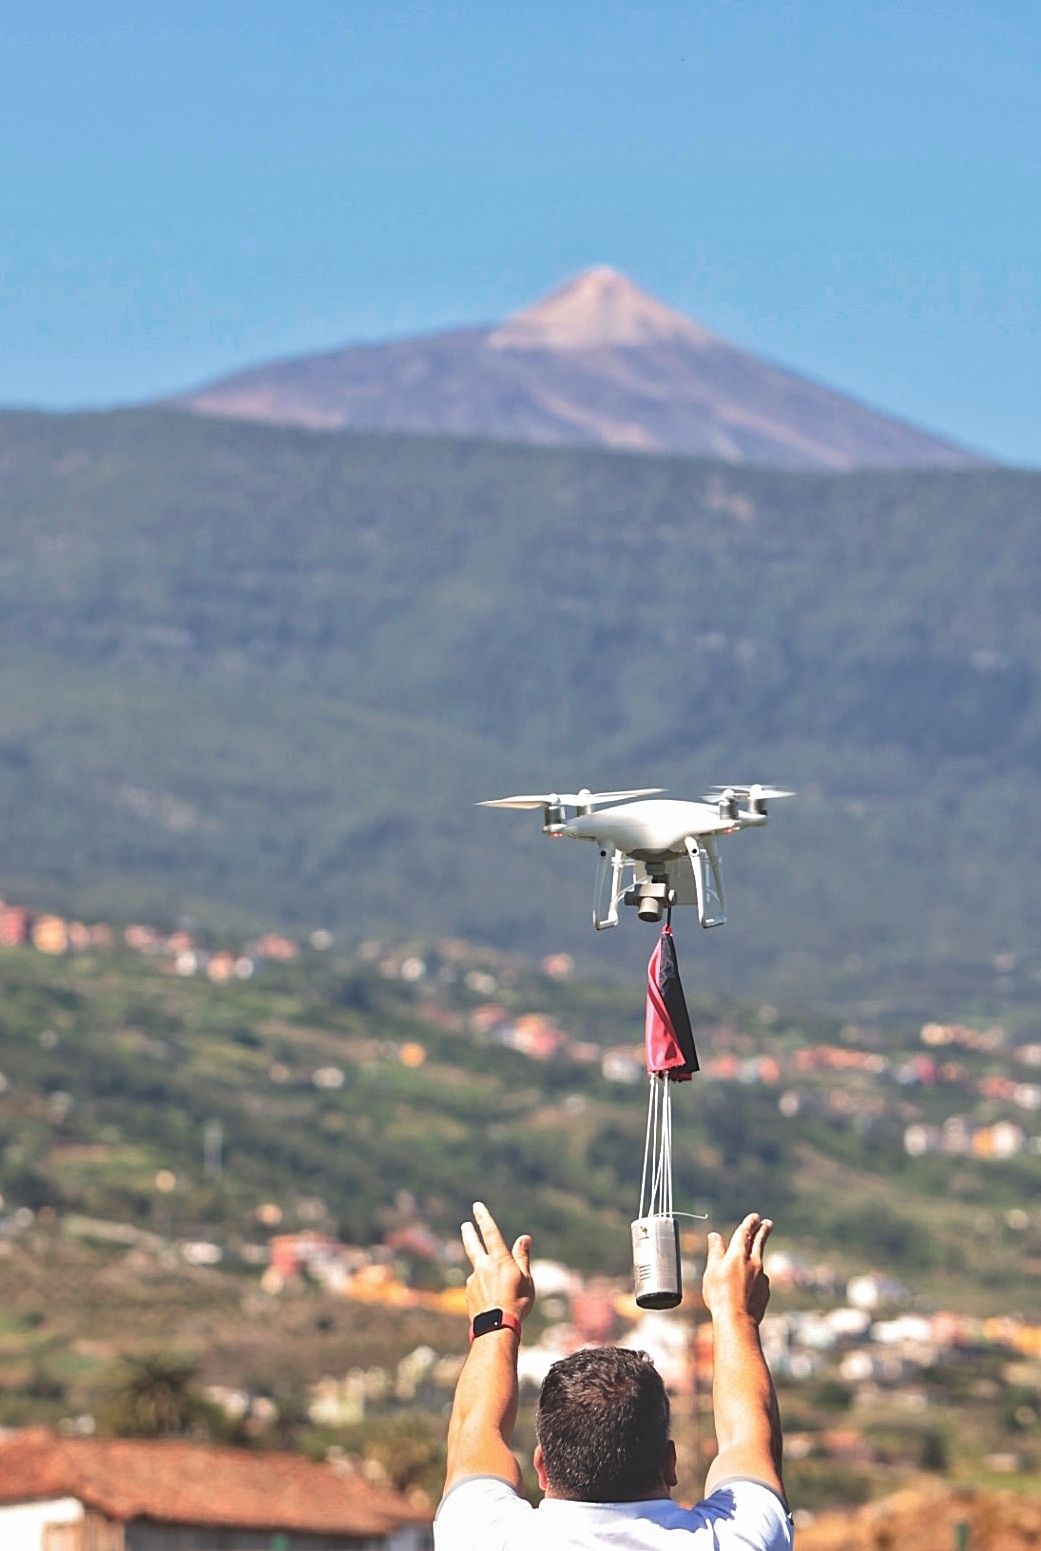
[[597, 362]]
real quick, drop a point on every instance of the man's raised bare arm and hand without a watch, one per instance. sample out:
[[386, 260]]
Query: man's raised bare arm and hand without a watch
[[736, 1291]]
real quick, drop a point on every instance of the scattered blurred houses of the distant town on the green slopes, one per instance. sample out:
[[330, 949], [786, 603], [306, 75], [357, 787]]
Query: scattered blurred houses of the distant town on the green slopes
[[868, 1330]]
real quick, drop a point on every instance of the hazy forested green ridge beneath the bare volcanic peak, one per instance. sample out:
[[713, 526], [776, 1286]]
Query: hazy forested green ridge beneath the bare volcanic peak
[[269, 672]]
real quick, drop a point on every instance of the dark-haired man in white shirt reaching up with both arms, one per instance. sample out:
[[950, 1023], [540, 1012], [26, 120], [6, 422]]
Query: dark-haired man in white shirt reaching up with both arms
[[604, 1459]]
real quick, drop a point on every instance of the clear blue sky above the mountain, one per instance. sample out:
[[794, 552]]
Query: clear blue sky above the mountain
[[848, 190]]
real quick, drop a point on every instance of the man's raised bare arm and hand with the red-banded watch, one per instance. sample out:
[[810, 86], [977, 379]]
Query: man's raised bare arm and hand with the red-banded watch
[[485, 1408]]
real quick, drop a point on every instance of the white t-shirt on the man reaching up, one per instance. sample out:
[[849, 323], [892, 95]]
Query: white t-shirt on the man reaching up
[[486, 1515]]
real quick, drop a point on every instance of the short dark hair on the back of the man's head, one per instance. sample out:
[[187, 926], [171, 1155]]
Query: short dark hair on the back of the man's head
[[603, 1426]]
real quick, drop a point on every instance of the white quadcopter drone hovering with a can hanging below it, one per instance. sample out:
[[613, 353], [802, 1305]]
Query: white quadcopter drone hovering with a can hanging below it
[[654, 855]]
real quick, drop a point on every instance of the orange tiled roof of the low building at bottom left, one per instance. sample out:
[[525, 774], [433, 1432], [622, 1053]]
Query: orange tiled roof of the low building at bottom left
[[188, 1484]]
